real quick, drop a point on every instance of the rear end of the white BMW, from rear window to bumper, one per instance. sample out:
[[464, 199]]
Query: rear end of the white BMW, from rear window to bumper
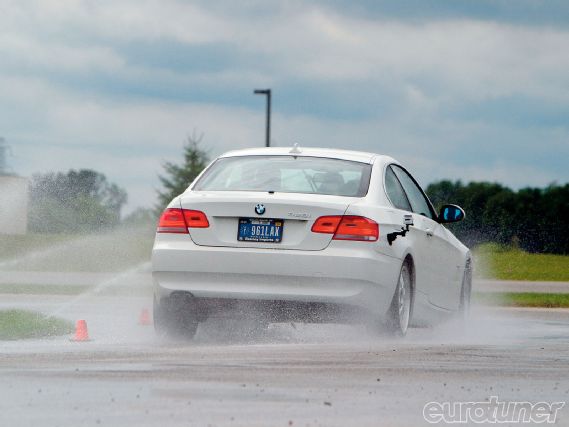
[[273, 233]]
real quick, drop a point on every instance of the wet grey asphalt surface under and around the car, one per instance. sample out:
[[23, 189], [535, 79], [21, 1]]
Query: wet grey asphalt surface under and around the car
[[288, 375]]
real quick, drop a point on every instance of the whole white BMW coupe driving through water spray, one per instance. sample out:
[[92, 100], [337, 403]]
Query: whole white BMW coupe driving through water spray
[[311, 235]]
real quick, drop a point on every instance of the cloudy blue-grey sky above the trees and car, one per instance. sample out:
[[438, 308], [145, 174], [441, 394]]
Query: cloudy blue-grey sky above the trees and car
[[470, 90]]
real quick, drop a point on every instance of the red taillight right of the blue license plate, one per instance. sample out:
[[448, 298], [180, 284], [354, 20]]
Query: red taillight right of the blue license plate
[[347, 227]]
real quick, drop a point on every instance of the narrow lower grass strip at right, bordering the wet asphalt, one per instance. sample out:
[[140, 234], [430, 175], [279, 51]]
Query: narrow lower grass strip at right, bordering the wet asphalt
[[522, 299]]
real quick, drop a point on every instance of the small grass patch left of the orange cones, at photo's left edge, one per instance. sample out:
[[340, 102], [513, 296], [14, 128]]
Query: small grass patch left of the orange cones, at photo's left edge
[[22, 324]]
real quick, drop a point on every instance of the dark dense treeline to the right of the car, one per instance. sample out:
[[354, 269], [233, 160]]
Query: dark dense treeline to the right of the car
[[536, 220]]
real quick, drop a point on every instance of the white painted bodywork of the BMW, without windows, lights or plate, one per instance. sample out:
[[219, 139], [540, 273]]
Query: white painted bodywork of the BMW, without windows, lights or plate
[[307, 266]]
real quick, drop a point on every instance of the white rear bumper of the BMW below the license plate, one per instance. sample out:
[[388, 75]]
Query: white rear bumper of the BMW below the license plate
[[346, 274]]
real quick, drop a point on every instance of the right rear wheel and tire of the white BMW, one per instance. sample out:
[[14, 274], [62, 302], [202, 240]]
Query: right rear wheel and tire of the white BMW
[[399, 314]]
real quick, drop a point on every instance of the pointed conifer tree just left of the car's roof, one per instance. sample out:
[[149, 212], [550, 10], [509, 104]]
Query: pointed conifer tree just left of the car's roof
[[179, 177]]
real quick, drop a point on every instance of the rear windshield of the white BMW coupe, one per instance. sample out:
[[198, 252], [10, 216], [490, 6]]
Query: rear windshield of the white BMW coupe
[[287, 174]]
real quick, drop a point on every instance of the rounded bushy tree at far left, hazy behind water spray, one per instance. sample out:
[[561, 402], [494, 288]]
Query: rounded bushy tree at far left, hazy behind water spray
[[76, 201]]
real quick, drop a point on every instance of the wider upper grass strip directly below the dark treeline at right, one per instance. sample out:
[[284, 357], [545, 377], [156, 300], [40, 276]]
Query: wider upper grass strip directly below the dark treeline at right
[[504, 263]]
